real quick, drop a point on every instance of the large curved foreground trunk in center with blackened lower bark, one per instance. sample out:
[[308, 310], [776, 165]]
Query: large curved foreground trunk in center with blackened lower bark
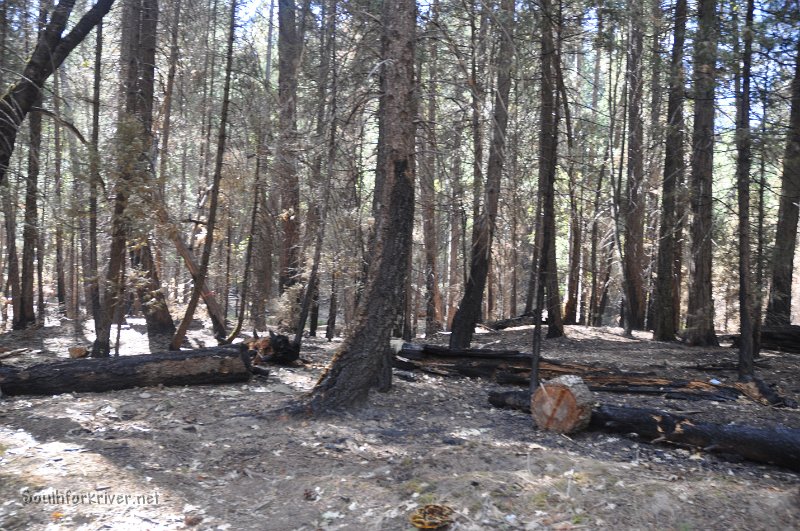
[[363, 360]]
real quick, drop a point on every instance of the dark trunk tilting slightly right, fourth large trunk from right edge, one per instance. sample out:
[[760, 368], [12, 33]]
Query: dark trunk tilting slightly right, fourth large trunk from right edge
[[674, 167]]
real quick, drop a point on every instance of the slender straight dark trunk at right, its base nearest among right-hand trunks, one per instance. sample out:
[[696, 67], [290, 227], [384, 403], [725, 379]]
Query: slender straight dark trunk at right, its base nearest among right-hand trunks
[[743, 165]]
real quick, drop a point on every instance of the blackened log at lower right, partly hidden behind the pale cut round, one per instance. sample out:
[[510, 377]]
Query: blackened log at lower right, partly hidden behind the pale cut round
[[779, 446]]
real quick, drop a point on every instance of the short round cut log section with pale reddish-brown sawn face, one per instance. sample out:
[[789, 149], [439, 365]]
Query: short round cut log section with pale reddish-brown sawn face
[[563, 404]]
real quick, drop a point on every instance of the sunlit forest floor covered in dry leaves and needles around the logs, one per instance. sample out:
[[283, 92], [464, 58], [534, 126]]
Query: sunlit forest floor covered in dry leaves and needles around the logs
[[212, 457]]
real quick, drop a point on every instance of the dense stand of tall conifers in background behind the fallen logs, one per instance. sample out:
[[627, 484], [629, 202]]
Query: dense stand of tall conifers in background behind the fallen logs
[[637, 162]]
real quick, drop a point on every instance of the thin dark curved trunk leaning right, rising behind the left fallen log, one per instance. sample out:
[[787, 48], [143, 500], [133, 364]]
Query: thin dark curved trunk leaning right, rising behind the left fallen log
[[200, 278]]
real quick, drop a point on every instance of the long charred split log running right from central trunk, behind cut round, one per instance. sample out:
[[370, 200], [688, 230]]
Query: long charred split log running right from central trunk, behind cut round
[[511, 367]]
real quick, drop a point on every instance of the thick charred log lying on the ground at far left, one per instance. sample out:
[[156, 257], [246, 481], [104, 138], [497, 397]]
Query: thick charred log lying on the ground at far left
[[207, 366]]
